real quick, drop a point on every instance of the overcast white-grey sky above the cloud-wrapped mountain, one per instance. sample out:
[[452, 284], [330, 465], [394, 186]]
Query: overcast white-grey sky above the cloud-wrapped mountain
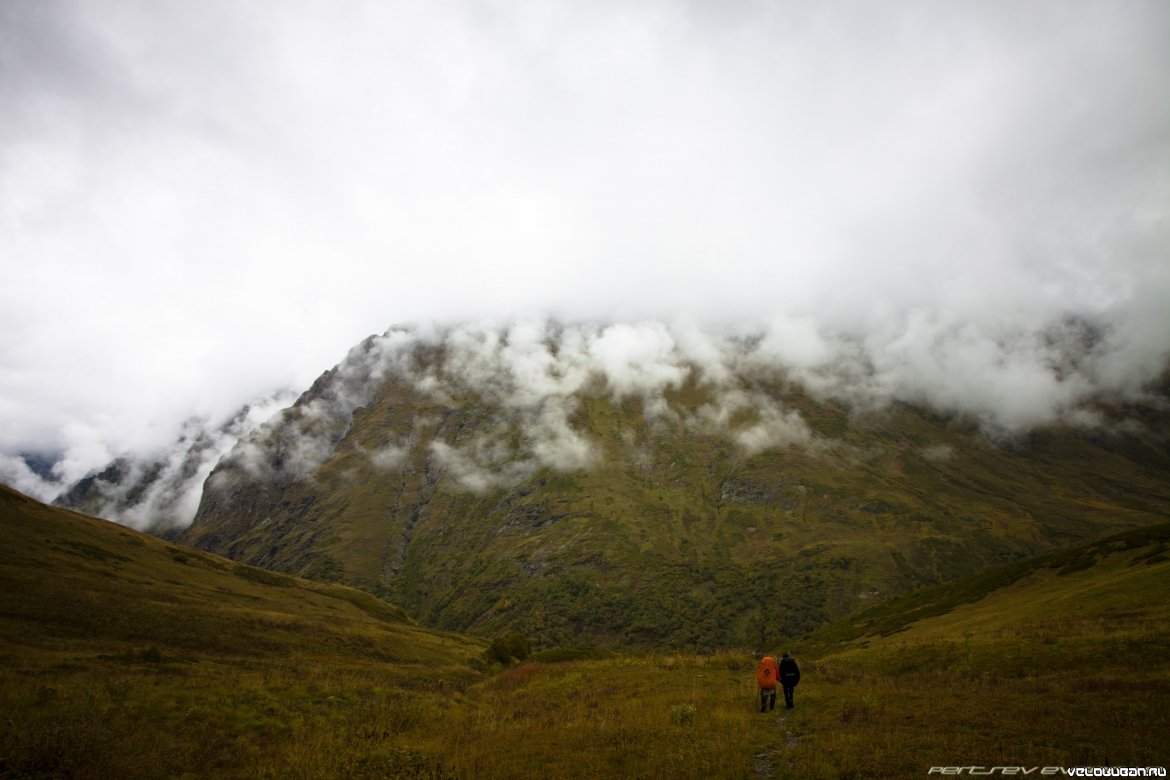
[[203, 203]]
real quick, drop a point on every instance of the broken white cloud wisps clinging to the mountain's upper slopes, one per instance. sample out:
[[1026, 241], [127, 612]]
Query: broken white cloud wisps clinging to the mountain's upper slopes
[[529, 378]]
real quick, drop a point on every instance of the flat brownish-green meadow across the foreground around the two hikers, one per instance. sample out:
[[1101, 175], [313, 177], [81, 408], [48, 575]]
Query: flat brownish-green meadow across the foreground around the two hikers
[[624, 717]]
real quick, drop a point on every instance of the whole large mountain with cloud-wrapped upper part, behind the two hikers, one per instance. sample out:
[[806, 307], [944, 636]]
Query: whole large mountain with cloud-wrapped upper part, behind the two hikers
[[627, 487]]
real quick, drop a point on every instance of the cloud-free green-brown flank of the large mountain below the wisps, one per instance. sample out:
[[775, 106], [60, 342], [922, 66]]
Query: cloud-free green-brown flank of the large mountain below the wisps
[[676, 539]]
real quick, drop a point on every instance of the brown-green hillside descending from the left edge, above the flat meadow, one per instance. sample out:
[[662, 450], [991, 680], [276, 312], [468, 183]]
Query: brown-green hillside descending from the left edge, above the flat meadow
[[78, 586]]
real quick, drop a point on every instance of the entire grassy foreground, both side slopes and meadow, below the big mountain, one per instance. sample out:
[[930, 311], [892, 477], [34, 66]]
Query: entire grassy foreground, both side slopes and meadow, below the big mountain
[[1063, 662]]
